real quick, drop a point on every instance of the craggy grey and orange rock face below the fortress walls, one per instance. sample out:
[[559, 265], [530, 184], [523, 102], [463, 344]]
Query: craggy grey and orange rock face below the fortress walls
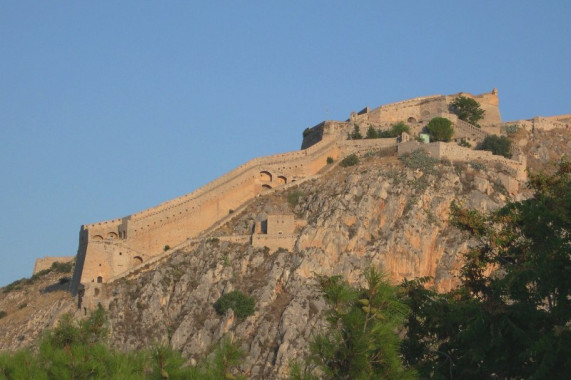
[[378, 213]]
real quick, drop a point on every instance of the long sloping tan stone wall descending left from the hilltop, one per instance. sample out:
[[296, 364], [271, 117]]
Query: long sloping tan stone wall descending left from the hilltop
[[109, 248]]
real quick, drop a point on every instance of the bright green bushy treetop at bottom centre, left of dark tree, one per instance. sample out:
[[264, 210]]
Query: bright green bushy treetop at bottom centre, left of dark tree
[[361, 342]]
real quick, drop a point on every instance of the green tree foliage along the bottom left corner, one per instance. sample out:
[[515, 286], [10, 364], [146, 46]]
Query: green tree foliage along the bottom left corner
[[79, 351]]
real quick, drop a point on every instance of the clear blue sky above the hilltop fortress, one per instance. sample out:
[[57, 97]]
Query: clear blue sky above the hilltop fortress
[[111, 107]]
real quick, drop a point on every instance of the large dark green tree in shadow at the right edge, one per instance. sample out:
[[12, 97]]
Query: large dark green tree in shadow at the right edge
[[510, 318]]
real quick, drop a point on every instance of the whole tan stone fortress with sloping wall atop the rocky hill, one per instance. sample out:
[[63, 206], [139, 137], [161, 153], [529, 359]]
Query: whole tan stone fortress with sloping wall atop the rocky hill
[[111, 249]]
